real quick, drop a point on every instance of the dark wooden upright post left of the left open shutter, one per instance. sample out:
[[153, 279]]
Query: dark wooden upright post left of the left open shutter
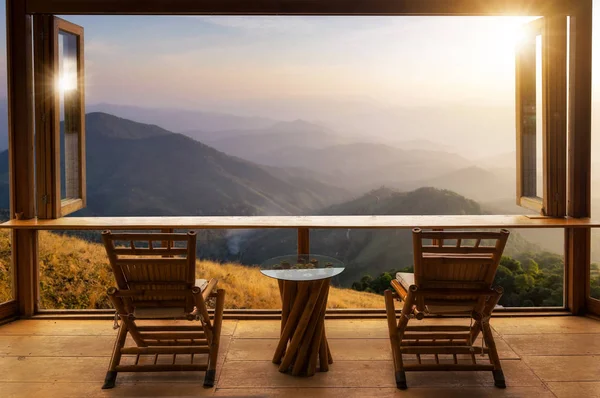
[[21, 151]]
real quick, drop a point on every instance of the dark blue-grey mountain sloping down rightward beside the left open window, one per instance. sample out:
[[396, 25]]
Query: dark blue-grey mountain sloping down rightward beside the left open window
[[140, 169]]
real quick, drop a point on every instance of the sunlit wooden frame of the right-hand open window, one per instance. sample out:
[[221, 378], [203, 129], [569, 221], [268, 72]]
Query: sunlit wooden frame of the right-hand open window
[[553, 202]]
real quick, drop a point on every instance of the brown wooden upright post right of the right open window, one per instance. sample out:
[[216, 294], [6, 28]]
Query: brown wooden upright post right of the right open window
[[579, 156]]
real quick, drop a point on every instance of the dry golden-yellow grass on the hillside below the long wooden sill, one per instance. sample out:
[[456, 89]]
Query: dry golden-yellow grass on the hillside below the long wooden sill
[[75, 274]]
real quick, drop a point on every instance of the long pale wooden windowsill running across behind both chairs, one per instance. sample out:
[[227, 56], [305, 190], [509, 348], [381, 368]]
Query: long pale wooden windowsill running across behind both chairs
[[312, 222]]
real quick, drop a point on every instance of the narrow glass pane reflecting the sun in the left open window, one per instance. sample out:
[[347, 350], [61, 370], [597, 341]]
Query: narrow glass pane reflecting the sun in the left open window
[[70, 115]]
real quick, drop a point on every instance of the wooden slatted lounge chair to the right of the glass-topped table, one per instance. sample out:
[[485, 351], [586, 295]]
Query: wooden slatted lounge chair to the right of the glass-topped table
[[453, 275]]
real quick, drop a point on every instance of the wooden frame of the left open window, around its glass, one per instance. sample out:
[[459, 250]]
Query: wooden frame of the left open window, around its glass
[[50, 205]]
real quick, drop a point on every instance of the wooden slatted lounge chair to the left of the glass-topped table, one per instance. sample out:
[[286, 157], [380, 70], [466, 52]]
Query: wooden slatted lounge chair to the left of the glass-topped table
[[155, 274]]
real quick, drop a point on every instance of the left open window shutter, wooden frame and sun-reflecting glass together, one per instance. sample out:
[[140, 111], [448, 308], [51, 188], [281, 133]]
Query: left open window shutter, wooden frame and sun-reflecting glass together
[[60, 116]]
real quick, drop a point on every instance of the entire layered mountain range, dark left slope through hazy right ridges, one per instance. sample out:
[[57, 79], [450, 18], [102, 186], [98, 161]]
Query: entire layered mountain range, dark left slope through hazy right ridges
[[137, 169]]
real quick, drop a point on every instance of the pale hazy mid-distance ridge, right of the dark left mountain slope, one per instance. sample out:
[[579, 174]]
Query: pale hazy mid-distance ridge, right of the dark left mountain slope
[[355, 166]]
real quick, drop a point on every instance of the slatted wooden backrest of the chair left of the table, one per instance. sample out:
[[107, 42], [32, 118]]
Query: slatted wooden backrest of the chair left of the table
[[161, 262]]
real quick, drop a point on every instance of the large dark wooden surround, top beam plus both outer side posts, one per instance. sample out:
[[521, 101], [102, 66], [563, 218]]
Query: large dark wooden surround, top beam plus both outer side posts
[[21, 117]]
